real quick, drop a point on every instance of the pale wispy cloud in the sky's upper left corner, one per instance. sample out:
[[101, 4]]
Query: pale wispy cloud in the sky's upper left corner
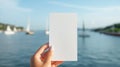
[[12, 5]]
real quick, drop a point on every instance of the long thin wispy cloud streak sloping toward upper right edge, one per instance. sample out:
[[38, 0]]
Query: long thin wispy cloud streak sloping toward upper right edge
[[91, 8]]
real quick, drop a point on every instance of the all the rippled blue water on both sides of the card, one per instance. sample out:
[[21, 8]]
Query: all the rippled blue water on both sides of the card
[[98, 50]]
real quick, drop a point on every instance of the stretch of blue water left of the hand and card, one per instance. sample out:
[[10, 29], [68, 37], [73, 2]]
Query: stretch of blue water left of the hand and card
[[16, 50]]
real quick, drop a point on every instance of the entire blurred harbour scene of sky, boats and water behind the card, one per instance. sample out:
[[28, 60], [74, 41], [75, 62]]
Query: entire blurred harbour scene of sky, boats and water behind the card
[[24, 27]]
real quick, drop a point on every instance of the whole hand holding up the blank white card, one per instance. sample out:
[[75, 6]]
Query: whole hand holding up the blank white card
[[42, 58]]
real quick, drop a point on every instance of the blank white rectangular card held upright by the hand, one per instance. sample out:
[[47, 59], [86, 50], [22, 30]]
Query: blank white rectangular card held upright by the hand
[[63, 36]]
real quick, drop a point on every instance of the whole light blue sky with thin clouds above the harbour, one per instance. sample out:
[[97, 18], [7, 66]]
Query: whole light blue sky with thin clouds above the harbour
[[94, 13]]
